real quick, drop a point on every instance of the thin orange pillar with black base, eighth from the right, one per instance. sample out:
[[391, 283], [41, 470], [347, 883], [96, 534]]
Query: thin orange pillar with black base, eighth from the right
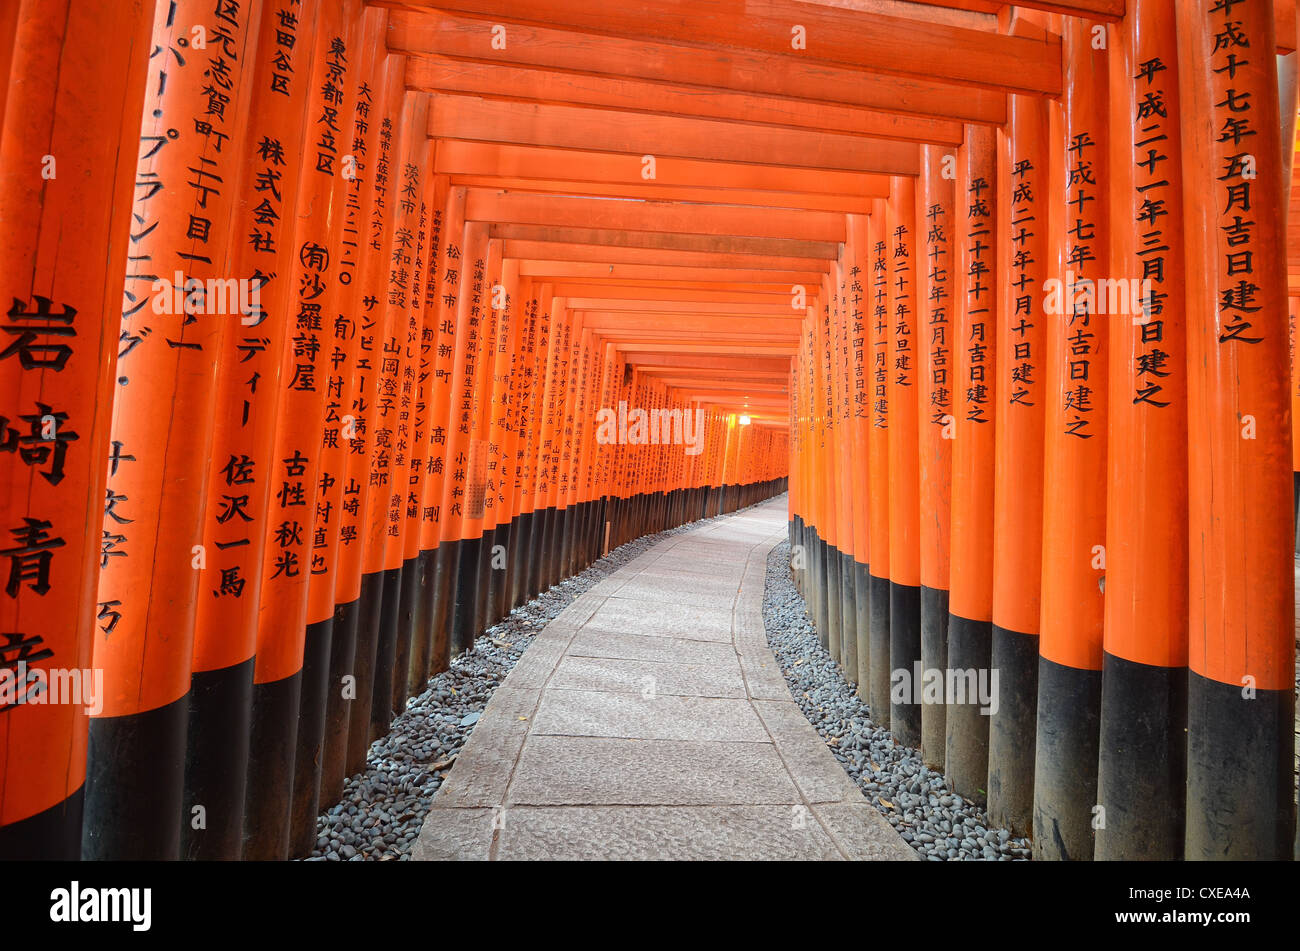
[[878, 479]]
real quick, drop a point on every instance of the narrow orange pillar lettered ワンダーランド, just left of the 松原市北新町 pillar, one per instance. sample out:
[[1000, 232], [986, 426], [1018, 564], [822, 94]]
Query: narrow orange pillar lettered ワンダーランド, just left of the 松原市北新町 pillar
[[414, 645]]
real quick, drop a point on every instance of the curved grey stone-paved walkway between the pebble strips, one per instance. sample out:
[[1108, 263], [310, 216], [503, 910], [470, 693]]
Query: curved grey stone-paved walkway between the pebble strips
[[649, 720]]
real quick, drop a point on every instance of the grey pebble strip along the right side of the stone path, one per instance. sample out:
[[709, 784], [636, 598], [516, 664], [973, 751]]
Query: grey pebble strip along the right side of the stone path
[[917, 801]]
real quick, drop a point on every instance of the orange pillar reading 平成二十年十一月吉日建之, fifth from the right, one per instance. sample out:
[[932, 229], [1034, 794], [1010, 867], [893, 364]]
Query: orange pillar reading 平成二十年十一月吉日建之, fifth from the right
[[973, 345]]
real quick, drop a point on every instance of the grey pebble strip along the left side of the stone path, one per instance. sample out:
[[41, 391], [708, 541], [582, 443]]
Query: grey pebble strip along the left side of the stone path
[[383, 809]]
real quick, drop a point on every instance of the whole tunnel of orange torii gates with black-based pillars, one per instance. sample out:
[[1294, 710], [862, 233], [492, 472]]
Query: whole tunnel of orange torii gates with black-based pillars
[[332, 331]]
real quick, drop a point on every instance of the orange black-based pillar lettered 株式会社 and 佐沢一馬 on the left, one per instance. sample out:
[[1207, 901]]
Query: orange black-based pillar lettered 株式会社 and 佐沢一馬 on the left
[[226, 628]]
